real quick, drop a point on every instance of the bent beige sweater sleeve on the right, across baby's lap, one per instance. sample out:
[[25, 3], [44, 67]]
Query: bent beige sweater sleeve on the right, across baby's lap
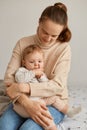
[[57, 85]]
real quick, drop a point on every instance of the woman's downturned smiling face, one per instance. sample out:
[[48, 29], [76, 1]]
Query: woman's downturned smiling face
[[48, 31]]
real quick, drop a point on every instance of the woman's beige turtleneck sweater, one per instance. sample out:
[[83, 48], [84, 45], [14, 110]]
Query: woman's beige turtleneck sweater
[[57, 65]]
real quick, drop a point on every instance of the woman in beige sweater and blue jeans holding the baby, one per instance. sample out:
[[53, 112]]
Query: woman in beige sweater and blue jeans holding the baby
[[52, 36]]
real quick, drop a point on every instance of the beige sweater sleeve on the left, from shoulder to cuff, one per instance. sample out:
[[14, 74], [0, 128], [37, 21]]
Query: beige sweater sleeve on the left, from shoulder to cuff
[[15, 61]]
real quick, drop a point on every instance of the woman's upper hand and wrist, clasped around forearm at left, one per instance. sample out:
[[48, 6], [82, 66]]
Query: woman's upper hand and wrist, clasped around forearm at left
[[15, 89]]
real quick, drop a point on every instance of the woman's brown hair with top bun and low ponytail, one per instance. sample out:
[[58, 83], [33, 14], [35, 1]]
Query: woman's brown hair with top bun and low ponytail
[[58, 14]]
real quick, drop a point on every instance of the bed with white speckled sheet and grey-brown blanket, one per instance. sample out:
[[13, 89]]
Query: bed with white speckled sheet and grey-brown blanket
[[78, 97]]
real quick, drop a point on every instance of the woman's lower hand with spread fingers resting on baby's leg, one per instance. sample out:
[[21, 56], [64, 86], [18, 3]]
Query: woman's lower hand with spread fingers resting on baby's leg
[[38, 112]]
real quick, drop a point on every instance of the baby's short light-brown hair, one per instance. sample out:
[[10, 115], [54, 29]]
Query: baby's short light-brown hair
[[31, 49]]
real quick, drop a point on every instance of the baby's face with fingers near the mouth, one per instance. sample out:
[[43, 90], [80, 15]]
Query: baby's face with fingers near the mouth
[[34, 61]]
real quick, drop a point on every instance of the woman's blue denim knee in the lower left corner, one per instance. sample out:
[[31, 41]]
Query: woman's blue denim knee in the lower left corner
[[10, 120]]
